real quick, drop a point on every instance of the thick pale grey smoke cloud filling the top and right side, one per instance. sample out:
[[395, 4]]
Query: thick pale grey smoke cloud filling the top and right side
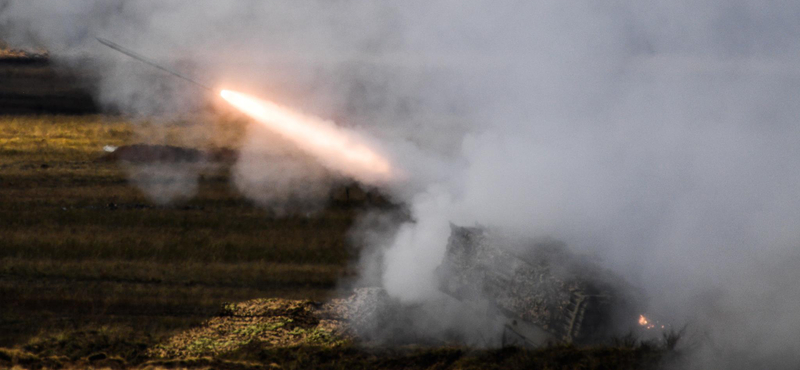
[[661, 137]]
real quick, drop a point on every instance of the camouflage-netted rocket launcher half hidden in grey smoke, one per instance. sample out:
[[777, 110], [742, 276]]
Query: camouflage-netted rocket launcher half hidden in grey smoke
[[540, 283]]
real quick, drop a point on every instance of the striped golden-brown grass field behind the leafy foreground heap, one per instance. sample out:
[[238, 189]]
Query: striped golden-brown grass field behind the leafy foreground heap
[[70, 261]]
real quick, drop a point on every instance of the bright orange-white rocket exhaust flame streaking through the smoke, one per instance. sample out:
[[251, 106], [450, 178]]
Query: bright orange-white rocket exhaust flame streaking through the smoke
[[334, 147]]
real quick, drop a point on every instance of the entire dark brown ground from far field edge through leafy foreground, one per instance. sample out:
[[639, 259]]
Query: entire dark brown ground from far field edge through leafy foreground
[[93, 273]]
